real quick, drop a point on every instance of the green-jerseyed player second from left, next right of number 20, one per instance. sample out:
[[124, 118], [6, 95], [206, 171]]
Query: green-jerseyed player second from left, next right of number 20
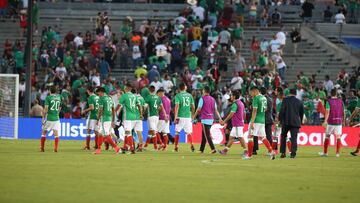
[[93, 103]]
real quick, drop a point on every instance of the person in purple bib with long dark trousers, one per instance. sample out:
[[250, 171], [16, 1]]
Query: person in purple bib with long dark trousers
[[207, 108]]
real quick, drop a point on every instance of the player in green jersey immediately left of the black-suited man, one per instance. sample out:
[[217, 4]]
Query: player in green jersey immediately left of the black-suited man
[[257, 122]]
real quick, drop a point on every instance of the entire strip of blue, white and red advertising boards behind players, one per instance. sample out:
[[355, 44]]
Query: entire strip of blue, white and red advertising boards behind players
[[75, 129]]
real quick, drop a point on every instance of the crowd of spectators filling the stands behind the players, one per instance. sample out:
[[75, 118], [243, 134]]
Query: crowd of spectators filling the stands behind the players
[[199, 48]]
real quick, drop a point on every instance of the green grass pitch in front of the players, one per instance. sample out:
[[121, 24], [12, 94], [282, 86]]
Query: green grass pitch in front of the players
[[74, 175]]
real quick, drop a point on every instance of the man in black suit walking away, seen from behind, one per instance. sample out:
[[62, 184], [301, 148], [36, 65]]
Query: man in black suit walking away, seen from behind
[[291, 116]]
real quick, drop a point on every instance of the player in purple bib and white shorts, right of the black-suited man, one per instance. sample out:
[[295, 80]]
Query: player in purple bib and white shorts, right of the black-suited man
[[333, 122]]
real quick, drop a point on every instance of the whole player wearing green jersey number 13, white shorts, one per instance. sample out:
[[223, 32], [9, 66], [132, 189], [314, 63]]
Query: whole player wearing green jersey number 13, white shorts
[[184, 111]]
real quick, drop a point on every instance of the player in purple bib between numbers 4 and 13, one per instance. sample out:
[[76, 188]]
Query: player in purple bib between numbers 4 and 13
[[164, 126]]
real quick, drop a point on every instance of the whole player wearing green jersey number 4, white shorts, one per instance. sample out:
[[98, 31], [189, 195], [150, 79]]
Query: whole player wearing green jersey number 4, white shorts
[[154, 105]]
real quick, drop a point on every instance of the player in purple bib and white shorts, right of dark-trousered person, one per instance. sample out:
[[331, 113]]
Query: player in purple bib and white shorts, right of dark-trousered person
[[237, 116]]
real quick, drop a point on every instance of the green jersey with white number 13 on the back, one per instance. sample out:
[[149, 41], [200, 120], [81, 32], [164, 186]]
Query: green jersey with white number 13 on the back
[[185, 101]]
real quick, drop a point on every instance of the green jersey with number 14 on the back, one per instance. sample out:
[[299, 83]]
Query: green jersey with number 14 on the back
[[129, 101]]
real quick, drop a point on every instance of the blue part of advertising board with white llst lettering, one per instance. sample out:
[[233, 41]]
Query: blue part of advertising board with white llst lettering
[[70, 129]]
